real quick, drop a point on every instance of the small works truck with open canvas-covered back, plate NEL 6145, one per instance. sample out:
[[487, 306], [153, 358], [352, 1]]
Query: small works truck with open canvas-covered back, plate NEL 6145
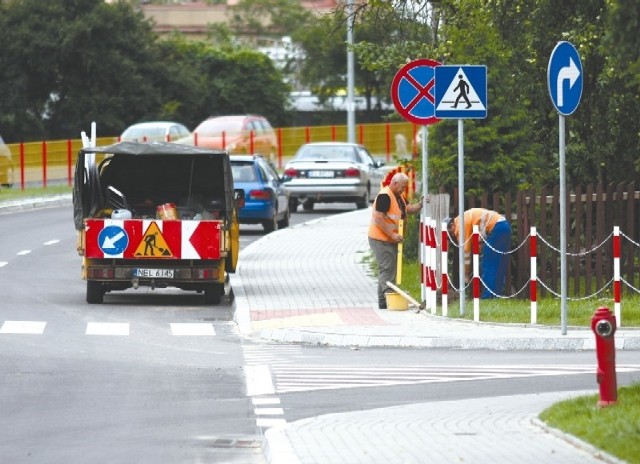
[[156, 215]]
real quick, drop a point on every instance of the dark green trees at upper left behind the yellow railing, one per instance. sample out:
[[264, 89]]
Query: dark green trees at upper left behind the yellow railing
[[73, 62]]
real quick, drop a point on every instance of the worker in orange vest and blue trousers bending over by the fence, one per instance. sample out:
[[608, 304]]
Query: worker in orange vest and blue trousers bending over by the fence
[[496, 232]]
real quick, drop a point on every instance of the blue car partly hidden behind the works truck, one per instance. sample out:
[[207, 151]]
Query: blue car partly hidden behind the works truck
[[266, 200]]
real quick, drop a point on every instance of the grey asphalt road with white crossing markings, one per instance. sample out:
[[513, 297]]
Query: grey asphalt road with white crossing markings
[[157, 376]]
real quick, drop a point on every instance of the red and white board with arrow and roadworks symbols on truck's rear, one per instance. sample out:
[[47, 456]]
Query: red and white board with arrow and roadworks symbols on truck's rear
[[152, 239]]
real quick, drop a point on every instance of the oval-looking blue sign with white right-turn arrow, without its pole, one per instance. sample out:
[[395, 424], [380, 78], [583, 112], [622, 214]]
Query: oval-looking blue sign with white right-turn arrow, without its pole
[[564, 78]]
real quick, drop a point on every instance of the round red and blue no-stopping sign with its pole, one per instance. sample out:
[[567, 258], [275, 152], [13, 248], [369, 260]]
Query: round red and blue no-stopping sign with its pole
[[412, 95]]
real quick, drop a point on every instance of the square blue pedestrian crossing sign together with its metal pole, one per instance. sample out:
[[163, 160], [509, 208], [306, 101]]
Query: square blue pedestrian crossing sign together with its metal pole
[[461, 93]]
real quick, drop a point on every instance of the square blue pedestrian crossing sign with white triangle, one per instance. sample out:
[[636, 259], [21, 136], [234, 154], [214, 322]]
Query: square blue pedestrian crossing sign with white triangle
[[461, 92]]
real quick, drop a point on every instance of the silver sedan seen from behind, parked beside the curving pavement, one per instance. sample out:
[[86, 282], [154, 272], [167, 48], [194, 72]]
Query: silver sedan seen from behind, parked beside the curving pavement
[[332, 172]]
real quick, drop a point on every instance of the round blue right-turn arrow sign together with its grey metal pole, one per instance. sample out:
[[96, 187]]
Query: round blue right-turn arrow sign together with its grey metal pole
[[564, 79]]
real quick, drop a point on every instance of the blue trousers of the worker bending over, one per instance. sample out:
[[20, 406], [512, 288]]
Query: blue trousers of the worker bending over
[[493, 269]]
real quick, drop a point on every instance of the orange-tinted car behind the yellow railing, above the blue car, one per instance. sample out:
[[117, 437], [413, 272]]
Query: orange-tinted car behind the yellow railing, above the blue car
[[238, 134]]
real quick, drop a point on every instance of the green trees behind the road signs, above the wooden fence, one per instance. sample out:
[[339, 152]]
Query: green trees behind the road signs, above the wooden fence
[[516, 146]]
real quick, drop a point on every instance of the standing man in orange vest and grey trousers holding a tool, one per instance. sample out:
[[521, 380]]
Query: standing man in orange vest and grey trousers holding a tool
[[388, 208]]
